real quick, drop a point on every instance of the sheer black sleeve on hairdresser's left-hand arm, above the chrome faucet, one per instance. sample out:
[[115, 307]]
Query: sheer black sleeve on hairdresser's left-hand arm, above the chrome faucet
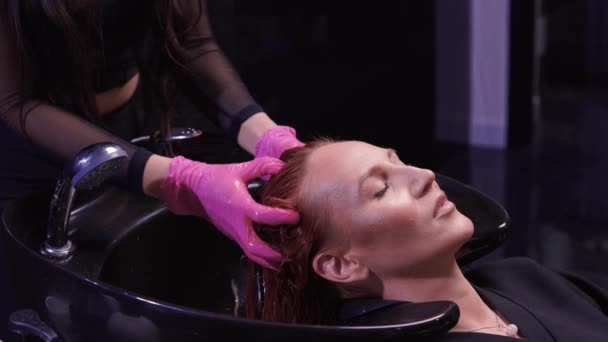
[[58, 134]]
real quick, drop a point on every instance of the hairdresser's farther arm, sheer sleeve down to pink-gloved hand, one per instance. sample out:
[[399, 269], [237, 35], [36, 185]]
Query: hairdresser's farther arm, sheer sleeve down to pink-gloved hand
[[240, 115]]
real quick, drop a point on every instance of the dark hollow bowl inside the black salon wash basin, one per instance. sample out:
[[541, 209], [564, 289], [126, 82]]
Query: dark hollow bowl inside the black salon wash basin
[[181, 260]]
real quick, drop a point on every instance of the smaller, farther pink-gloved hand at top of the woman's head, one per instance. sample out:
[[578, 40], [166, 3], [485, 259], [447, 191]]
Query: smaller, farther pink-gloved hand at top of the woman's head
[[275, 141]]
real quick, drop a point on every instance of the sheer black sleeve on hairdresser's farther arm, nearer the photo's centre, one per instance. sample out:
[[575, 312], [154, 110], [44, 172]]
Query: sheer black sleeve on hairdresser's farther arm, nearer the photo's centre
[[207, 64]]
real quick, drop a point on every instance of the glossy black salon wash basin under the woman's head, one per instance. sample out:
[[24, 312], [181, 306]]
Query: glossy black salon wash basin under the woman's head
[[140, 273]]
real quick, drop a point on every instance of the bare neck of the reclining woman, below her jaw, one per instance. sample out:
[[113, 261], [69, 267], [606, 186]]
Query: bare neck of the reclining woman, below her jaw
[[442, 283]]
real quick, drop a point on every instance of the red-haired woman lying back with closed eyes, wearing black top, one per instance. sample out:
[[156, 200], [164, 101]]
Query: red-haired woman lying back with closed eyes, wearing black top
[[373, 226]]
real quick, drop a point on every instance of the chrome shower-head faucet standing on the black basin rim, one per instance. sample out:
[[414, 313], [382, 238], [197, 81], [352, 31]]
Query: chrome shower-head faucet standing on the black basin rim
[[91, 166]]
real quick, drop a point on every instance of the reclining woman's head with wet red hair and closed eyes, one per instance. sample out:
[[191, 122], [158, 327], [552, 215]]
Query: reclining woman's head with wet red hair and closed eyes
[[366, 219]]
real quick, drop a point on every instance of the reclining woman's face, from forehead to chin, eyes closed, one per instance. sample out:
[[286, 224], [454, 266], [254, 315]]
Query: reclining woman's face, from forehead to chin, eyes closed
[[392, 234]]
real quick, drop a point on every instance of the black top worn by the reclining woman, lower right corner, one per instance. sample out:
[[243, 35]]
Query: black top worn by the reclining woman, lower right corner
[[544, 304]]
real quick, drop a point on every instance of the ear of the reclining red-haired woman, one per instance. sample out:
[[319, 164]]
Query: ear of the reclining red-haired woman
[[339, 268]]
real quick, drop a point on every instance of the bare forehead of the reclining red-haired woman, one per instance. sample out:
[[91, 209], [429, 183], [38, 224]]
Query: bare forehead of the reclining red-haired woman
[[334, 169]]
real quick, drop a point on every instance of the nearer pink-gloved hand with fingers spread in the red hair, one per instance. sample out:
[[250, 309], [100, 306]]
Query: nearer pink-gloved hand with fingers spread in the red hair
[[218, 192]]
